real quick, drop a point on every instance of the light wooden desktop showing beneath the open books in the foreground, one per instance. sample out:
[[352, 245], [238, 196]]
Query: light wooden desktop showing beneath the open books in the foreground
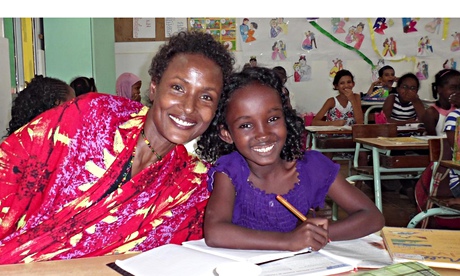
[[96, 266]]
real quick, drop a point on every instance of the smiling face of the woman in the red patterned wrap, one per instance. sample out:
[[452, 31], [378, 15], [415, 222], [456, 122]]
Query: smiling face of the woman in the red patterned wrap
[[185, 100]]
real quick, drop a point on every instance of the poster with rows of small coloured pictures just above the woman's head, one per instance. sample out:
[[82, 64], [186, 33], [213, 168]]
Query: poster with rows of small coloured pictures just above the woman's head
[[222, 29]]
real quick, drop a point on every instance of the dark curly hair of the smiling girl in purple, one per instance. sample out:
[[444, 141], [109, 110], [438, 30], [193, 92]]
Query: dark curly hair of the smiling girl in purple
[[210, 147]]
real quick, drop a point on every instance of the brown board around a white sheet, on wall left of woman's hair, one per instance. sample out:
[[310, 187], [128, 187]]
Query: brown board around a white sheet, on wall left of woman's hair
[[124, 30]]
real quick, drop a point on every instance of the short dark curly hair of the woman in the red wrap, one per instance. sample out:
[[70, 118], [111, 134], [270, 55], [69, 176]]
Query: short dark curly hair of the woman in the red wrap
[[192, 42]]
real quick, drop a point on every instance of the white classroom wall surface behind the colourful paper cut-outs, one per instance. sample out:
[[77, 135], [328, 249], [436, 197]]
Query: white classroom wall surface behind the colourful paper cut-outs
[[308, 96]]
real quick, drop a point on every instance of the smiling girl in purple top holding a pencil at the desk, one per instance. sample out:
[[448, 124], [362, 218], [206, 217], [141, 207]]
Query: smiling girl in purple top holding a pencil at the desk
[[255, 138]]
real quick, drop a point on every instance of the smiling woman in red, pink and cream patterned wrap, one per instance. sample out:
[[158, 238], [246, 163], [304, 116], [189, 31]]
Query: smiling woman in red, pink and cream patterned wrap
[[104, 174]]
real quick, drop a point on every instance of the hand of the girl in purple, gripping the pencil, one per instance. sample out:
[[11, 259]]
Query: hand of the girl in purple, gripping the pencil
[[311, 233]]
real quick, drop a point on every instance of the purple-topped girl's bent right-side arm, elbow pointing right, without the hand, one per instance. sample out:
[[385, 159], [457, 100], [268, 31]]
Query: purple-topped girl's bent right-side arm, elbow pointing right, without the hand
[[363, 216]]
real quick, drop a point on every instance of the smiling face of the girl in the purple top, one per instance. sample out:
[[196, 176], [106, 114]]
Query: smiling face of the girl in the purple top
[[256, 124]]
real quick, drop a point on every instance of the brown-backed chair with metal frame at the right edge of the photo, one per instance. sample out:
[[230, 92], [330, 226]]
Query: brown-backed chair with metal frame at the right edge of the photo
[[439, 150]]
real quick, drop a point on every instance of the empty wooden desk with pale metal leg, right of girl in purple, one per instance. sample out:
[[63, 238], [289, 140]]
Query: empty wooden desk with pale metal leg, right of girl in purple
[[384, 147]]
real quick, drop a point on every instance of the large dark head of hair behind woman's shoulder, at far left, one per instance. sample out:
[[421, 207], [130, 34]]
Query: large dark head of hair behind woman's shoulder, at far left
[[41, 94]]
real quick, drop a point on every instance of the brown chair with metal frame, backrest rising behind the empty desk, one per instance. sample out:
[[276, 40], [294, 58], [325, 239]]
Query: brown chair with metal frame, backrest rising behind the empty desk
[[367, 172]]
